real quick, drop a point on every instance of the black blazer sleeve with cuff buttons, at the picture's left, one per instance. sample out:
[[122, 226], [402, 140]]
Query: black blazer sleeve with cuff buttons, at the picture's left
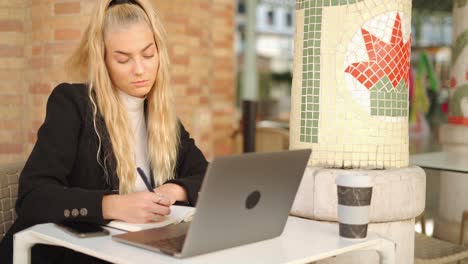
[[44, 193]]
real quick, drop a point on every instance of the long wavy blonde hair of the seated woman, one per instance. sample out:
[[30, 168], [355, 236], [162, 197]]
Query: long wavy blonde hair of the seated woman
[[88, 64]]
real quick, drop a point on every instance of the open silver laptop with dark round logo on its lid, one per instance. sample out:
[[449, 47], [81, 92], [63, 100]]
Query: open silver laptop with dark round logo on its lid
[[243, 199]]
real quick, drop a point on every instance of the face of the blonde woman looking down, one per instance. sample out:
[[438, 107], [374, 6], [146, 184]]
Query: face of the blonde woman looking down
[[132, 59]]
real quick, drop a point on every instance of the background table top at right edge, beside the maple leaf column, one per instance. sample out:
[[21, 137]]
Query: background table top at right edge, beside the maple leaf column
[[445, 161]]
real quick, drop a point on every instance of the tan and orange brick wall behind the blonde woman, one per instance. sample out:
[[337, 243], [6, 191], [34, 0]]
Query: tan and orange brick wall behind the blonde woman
[[36, 37]]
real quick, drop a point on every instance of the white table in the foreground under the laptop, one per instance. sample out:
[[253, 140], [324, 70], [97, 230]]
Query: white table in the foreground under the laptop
[[302, 241]]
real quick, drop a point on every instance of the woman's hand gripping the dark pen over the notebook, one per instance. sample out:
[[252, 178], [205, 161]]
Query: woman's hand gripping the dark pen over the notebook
[[138, 207]]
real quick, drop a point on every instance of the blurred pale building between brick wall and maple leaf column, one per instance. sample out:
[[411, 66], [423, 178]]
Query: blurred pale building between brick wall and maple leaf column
[[274, 35]]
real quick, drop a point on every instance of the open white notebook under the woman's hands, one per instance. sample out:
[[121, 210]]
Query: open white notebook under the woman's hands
[[178, 214]]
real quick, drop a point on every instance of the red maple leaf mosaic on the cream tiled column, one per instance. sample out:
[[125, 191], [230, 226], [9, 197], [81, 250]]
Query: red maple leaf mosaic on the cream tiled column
[[385, 59]]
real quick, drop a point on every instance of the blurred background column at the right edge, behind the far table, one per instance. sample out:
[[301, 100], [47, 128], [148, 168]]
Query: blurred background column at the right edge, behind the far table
[[453, 196]]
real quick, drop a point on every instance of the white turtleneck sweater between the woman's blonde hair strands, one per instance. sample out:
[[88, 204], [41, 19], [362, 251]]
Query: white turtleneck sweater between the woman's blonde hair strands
[[136, 117]]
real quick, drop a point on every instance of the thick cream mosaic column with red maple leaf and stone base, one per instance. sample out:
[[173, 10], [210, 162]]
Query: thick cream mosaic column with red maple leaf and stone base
[[350, 106]]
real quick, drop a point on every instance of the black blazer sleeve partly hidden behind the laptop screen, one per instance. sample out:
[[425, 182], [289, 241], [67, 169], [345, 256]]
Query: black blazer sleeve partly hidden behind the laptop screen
[[190, 168]]
